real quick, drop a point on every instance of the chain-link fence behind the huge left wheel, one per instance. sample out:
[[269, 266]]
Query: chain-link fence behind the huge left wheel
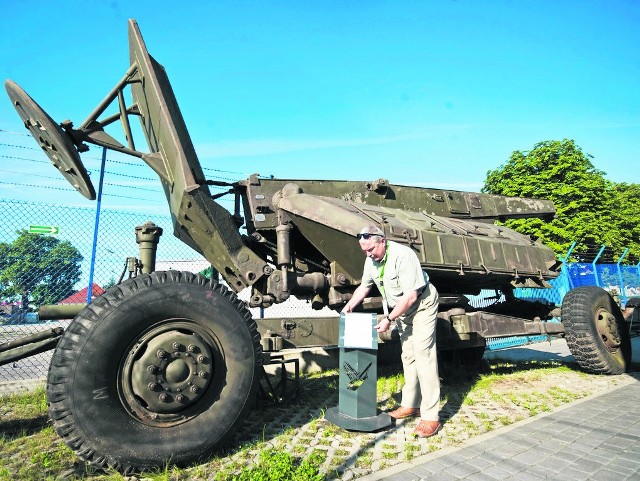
[[49, 253]]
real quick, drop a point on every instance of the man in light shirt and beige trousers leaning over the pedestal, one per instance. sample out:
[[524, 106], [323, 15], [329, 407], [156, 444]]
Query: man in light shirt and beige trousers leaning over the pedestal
[[395, 269]]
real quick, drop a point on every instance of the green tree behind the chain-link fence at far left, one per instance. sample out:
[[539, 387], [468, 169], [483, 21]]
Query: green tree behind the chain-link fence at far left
[[37, 269]]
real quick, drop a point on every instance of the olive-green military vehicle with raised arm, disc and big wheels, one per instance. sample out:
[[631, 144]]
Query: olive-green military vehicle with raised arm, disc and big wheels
[[163, 366]]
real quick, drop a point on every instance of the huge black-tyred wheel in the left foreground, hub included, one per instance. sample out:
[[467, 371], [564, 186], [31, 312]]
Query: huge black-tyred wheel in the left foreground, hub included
[[159, 369]]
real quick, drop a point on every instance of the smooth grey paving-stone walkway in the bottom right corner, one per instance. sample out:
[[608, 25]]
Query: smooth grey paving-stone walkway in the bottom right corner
[[596, 438]]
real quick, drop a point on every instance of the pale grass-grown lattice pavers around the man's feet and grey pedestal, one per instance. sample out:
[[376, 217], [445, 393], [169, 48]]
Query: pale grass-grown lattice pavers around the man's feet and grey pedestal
[[299, 427]]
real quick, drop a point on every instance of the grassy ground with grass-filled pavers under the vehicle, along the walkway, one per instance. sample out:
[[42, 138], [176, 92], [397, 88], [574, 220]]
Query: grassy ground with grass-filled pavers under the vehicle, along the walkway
[[295, 440]]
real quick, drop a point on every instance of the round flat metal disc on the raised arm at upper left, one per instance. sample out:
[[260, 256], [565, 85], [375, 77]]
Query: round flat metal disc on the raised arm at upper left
[[53, 140]]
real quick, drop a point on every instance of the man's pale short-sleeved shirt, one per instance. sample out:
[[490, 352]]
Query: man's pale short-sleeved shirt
[[402, 273]]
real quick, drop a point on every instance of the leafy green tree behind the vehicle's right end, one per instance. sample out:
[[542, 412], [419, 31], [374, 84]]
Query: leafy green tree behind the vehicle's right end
[[591, 210]]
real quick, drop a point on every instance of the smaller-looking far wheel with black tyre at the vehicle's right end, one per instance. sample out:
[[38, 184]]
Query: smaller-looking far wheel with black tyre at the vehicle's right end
[[596, 332]]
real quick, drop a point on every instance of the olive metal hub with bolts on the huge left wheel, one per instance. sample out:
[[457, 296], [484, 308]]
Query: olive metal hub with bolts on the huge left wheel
[[172, 372]]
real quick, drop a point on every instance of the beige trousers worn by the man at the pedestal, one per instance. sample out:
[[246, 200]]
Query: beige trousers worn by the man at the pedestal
[[419, 357]]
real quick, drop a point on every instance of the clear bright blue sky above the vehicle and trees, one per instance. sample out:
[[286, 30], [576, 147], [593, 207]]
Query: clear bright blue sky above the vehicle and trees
[[428, 93]]
